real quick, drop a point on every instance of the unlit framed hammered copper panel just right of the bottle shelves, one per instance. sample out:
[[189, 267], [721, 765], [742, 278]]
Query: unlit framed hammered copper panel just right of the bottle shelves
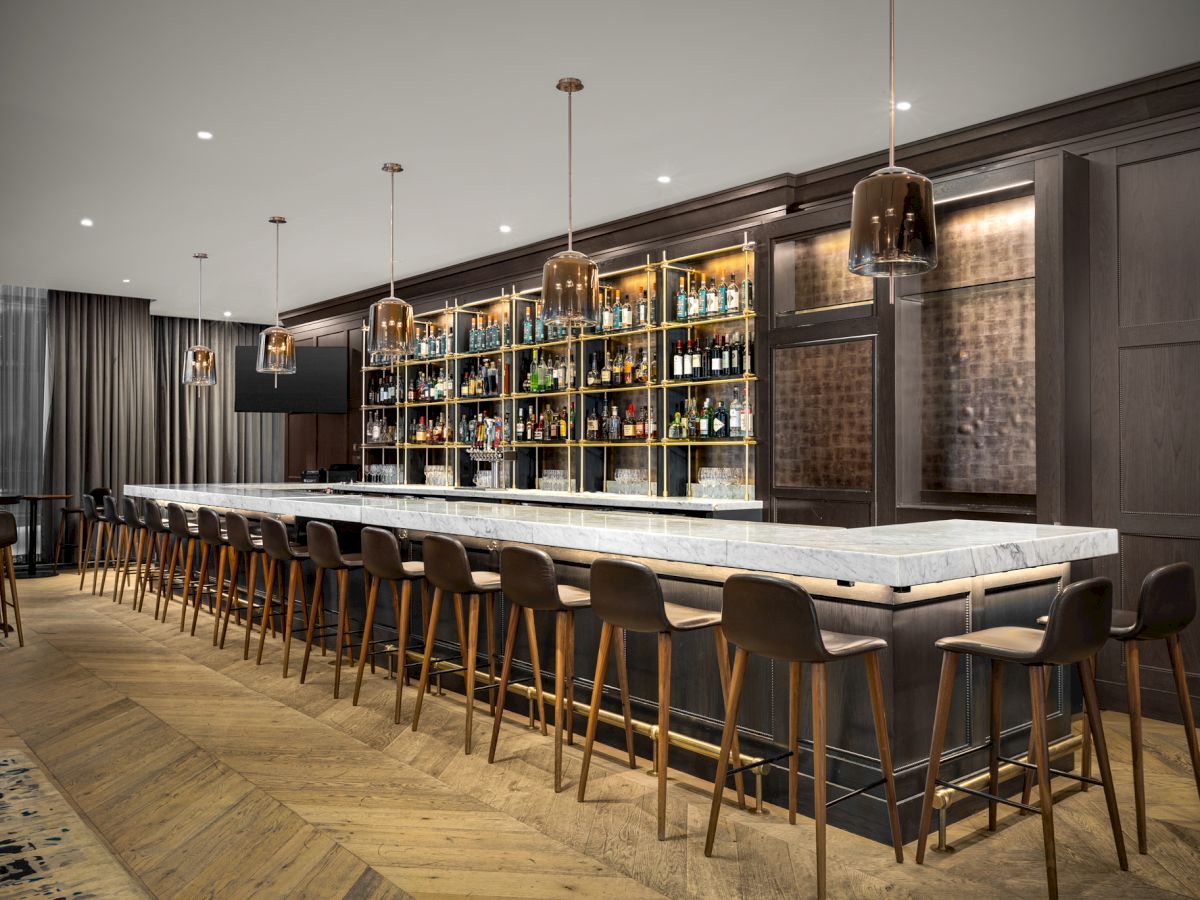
[[824, 412]]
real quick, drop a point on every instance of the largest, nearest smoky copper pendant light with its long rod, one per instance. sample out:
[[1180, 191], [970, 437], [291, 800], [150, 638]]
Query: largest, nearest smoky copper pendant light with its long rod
[[892, 231]]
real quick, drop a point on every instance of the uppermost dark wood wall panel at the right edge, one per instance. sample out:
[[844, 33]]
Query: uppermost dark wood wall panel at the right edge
[[1160, 218]]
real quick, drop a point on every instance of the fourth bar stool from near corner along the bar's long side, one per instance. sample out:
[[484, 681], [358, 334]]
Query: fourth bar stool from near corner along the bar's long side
[[449, 572]]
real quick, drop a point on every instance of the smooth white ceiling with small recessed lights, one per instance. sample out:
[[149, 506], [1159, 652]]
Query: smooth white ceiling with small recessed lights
[[100, 104]]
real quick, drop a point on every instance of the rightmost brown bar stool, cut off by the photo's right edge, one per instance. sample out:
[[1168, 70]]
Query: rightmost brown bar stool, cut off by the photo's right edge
[[1166, 607]]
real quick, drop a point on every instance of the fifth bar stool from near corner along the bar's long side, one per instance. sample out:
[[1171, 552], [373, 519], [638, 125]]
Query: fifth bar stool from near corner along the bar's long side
[[383, 562]]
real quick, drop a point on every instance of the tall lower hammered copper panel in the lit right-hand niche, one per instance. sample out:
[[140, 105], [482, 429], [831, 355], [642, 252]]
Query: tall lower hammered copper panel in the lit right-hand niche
[[979, 389]]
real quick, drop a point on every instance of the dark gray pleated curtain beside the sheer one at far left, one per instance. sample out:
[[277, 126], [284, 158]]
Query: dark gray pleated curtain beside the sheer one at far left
[[103, 415]]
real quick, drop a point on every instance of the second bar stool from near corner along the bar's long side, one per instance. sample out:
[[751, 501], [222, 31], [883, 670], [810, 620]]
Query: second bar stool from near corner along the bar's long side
[[628, 596]]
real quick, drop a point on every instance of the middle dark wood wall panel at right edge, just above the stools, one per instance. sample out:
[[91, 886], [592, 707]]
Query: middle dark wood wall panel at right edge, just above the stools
[[1161, 430]]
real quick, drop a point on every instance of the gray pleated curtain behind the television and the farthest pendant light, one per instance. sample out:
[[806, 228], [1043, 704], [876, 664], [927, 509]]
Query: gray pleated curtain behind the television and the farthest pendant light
[[200, 436]]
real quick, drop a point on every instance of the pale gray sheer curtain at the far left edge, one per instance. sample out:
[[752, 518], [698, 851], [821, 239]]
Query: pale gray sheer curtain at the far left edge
[[22, 398]]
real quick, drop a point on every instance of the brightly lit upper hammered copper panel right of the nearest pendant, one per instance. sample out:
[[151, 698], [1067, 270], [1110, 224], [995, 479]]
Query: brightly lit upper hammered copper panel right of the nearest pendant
[[981, 245]]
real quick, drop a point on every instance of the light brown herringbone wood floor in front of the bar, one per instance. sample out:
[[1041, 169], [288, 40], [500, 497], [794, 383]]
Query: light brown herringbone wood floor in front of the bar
[[211, 777]]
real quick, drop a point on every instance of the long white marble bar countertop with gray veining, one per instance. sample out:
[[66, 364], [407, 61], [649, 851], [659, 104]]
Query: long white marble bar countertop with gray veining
[[897, 556]]
